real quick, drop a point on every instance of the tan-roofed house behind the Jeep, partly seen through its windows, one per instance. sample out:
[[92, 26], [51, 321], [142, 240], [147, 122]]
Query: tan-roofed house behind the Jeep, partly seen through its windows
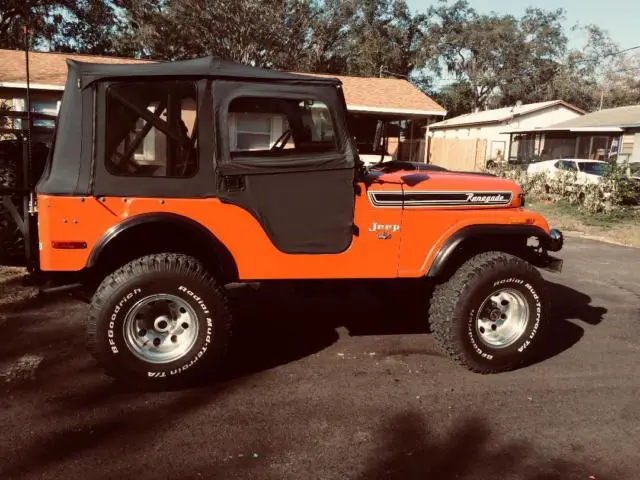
[[396, 102]]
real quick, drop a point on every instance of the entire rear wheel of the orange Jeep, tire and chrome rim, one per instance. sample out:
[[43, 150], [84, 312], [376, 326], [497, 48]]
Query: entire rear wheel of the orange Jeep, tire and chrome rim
[[161, 318]]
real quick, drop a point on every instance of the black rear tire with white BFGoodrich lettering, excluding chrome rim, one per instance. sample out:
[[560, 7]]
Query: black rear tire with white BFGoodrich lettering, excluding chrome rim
[[162, 274]]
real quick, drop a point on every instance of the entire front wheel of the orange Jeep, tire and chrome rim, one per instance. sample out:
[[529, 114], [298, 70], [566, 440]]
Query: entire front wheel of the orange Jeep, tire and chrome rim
[[490, 316]]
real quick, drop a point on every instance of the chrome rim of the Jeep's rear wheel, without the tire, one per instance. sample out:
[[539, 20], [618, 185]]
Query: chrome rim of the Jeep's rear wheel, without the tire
[[160, 328]]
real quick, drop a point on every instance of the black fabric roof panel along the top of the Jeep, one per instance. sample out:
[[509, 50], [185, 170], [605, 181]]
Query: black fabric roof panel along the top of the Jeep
[[213, 67]]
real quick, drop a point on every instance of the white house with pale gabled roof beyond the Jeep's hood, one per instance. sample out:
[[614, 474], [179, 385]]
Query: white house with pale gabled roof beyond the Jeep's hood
[[489, 127]]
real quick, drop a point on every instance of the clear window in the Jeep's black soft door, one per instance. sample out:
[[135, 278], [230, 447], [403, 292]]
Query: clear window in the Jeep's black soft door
[[266, 127]]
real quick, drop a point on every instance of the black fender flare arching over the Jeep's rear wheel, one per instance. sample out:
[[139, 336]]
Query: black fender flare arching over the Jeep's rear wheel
[[180, 221]]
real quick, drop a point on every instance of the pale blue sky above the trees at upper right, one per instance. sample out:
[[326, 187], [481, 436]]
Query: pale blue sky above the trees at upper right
[[618, 17]]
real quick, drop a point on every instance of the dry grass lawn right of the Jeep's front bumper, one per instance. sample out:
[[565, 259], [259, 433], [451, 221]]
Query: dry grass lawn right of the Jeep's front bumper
[[623, 228]]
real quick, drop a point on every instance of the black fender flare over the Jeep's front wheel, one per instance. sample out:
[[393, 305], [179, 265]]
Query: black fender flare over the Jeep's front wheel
[[475, 231]]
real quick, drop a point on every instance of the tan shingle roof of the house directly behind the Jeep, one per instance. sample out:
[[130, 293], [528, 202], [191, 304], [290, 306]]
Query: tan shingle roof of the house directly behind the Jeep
[[362, 94]]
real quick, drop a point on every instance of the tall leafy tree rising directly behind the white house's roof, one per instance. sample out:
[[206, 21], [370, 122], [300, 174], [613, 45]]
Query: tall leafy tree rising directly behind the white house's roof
[[502, 58]]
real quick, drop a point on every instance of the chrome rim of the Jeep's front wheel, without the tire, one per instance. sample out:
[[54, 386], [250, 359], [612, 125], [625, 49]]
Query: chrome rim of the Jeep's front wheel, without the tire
[[502, 318]]
